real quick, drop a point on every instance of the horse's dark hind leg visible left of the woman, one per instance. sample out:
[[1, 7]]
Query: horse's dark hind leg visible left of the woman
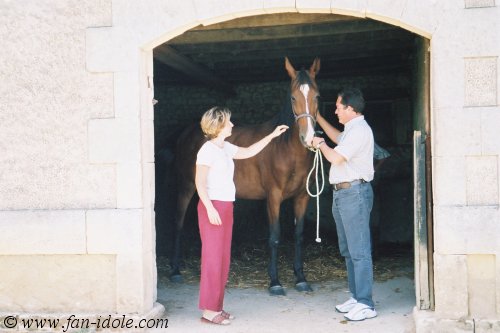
[[184, 196]]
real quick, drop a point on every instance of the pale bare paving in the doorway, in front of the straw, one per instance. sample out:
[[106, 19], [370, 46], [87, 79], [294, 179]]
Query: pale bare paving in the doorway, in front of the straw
[[256, 311]]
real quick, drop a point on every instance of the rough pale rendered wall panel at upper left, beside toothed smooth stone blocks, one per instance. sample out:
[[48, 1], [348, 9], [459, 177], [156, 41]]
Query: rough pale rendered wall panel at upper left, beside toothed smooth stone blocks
[[47, 99]]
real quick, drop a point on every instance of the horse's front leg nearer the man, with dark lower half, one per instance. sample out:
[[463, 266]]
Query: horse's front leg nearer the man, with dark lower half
[[300, 206]]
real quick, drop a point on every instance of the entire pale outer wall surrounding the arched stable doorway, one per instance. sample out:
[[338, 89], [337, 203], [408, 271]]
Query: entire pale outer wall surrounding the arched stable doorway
[[76, 135]]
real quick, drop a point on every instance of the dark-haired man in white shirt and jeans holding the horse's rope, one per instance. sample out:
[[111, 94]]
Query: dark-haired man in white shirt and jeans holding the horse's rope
[[350, 174]]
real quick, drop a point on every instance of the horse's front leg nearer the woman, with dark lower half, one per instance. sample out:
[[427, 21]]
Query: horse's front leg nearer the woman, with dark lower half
[[273, 209]]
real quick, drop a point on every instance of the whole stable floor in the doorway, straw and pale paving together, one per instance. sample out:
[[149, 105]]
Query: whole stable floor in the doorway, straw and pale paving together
[[255, 311]]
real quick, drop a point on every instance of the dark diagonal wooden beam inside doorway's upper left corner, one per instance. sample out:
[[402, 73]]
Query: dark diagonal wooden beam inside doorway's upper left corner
[[174, 59]]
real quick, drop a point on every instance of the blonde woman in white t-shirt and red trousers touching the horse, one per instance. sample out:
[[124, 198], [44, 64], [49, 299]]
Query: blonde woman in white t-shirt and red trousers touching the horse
[[215, 186]]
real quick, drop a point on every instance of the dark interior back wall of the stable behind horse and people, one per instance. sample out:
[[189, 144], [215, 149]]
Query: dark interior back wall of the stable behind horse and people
[[179, 106]]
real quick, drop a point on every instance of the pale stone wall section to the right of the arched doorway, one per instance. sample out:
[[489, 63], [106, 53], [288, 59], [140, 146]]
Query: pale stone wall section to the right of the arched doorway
[[464, 82]]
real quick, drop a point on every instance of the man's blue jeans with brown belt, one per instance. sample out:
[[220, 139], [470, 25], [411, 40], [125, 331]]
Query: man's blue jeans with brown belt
[[351, 210]]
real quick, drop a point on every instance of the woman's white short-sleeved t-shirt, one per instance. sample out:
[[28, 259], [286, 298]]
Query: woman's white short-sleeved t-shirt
[[220, 183]]
